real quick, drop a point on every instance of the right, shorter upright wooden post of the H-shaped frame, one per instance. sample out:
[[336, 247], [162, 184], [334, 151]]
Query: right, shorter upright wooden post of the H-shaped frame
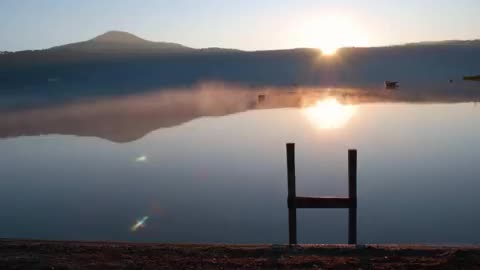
[[352, 194]]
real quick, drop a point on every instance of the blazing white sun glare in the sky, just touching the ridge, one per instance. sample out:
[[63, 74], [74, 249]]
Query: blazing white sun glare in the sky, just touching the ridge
[[332, 32]]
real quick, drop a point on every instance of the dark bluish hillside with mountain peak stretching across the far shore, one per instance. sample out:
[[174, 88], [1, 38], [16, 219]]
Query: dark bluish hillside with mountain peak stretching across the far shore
[[118, 62]]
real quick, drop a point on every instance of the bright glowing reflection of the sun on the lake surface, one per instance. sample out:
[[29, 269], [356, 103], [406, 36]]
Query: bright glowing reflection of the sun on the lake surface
[[329, 113]]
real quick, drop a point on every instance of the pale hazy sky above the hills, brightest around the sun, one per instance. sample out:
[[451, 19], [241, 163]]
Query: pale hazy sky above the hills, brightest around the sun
[[242, 24]]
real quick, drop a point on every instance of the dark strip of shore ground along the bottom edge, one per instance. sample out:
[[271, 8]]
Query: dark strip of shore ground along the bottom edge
[[39, 254]]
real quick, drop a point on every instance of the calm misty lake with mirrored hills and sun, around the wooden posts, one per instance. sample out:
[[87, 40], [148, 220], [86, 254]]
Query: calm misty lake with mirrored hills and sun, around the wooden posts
[[208, 164]]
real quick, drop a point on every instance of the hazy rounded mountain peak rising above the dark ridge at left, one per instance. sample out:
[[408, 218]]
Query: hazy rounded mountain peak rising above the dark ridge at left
[[117, 41]]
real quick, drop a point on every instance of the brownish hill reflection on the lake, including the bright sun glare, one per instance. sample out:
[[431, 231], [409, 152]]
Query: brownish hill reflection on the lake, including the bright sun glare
[[128, 118]]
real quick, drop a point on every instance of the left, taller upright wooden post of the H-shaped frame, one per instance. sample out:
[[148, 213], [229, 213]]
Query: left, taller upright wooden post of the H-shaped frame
[[292, 210]]
